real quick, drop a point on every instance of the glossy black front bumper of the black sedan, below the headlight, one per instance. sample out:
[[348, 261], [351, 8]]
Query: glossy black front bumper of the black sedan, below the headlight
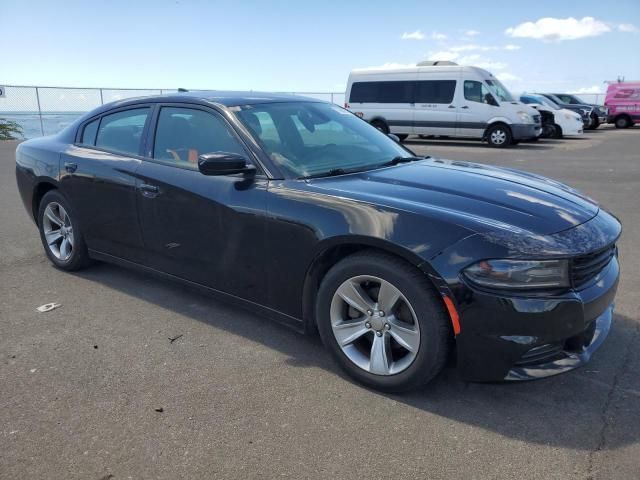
[[523, 338]]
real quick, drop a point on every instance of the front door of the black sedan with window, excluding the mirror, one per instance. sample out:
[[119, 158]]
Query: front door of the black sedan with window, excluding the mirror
[[206, 229]]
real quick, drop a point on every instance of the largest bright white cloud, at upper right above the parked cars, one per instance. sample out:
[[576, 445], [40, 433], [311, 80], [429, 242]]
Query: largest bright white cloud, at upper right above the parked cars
[[559, 29]]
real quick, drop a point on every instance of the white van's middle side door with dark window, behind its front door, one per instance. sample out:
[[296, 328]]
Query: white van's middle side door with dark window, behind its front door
[[435, 112]]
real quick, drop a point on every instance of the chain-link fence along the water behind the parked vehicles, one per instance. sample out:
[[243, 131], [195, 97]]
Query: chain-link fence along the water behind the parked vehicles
[[47, 110]]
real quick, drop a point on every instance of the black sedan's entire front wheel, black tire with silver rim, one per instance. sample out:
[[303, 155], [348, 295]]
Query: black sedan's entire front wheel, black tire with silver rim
[[418, 317]]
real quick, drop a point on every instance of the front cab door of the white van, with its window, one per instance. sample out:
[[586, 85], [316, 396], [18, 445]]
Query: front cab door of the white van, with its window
[[476, 106]]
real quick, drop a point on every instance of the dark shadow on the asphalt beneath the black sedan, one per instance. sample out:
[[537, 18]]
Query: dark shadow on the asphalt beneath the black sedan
[[568, 410]]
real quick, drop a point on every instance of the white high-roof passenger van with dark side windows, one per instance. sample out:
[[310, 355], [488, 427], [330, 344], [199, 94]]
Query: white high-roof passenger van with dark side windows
[[441, 98]]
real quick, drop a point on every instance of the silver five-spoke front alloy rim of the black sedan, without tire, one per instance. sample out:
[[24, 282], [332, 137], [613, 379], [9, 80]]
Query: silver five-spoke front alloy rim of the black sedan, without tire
[[375, 325]]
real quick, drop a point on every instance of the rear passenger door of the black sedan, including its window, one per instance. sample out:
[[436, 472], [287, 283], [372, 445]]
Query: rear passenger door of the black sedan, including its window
[[98, 177]]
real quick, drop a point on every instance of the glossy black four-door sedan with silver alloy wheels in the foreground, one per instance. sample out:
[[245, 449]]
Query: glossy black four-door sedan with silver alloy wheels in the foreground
[[300, 210]]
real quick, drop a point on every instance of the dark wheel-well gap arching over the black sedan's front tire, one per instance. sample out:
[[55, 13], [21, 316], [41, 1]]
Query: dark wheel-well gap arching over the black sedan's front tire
[[319, 268]]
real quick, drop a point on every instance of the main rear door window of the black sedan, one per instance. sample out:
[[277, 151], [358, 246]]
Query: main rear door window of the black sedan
[[122, 131]]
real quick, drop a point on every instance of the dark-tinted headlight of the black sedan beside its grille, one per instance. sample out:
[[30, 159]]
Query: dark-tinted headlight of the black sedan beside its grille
[[519, 274]]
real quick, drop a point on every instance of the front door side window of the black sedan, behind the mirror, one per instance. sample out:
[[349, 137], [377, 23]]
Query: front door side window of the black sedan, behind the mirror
[[183, 134]]
